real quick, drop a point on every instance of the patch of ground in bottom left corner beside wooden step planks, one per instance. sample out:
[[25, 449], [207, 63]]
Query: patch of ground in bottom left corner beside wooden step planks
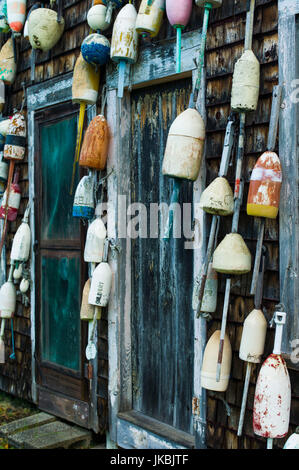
[[12, 408]]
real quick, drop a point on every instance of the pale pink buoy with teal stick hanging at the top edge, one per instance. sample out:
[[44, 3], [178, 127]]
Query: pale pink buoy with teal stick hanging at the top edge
[[178, 14]]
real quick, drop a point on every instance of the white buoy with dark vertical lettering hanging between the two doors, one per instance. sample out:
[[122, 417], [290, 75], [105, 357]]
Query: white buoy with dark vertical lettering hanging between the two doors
[[100, 285]]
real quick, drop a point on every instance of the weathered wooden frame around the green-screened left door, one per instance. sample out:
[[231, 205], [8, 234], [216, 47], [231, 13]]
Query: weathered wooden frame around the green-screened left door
[[42, 96]]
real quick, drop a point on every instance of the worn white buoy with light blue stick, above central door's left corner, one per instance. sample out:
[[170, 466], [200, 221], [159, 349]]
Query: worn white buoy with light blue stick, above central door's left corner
[[124, 42]]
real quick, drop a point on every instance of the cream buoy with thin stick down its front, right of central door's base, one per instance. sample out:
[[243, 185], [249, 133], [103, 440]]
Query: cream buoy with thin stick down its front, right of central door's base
[[209, 365]]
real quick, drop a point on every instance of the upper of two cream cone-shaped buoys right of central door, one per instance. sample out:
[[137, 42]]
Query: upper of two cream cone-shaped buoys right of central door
[[218, 198]]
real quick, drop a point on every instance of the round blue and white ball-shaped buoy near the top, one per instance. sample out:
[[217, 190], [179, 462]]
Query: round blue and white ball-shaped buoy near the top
[[95, 49]]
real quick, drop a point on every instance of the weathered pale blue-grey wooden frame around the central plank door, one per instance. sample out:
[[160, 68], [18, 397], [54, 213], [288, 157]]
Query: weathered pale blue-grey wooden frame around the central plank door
[[128, 428]]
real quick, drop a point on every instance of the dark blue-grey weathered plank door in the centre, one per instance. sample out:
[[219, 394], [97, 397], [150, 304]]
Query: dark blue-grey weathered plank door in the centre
[[162, 271]]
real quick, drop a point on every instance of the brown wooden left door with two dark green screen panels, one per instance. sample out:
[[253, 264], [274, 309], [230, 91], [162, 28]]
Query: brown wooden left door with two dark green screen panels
[[60, 270]]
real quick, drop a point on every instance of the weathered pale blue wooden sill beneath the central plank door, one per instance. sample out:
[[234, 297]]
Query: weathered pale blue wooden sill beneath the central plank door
[[138, 431]]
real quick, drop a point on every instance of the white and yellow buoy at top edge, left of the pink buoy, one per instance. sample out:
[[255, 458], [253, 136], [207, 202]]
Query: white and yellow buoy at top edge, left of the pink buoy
[[150, 17]]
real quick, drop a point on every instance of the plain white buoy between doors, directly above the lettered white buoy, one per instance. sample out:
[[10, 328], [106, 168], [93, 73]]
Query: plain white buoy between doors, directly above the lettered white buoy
[[95, 239]]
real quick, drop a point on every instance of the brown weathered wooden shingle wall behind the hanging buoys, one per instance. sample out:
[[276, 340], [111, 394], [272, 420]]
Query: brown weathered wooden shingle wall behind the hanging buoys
[[224, 47]]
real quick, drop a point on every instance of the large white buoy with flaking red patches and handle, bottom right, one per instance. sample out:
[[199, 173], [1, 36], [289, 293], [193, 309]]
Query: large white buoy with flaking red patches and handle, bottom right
[[272, 400]]
